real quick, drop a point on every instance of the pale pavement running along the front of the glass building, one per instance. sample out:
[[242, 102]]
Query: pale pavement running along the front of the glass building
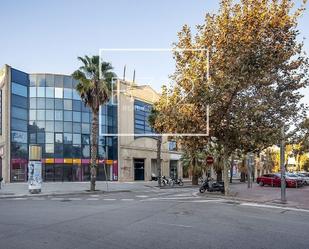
[[10, 190]]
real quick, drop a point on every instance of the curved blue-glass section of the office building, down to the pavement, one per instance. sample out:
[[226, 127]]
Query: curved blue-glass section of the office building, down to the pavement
[[46, 110]]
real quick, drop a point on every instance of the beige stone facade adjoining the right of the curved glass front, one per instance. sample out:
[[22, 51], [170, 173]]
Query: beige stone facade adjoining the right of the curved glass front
[[130, 147]]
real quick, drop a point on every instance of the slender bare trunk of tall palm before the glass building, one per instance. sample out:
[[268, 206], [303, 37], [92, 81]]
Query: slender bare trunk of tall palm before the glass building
[[94, 149]]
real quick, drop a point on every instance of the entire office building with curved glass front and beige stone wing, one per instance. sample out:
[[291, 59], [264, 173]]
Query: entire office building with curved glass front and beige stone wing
[[45, 109]]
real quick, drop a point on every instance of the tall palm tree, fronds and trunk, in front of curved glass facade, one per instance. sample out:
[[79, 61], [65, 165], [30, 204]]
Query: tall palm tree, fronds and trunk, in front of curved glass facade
[[94, 87]]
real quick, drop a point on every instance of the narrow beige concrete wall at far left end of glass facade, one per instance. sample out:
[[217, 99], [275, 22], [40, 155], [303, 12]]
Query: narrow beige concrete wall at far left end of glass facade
[[5, 79]]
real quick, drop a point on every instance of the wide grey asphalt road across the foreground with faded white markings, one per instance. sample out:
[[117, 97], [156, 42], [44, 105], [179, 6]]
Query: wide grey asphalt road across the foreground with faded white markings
[[173, 218]]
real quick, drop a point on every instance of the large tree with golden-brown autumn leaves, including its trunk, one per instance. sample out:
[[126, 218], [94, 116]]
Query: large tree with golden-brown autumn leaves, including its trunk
[[256, 66]]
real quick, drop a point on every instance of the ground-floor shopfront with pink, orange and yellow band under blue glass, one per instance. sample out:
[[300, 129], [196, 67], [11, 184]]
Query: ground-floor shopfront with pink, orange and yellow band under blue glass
[[69, 172]]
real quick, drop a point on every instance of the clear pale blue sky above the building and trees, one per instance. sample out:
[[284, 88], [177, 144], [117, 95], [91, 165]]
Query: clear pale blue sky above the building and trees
[[47, 36]]
